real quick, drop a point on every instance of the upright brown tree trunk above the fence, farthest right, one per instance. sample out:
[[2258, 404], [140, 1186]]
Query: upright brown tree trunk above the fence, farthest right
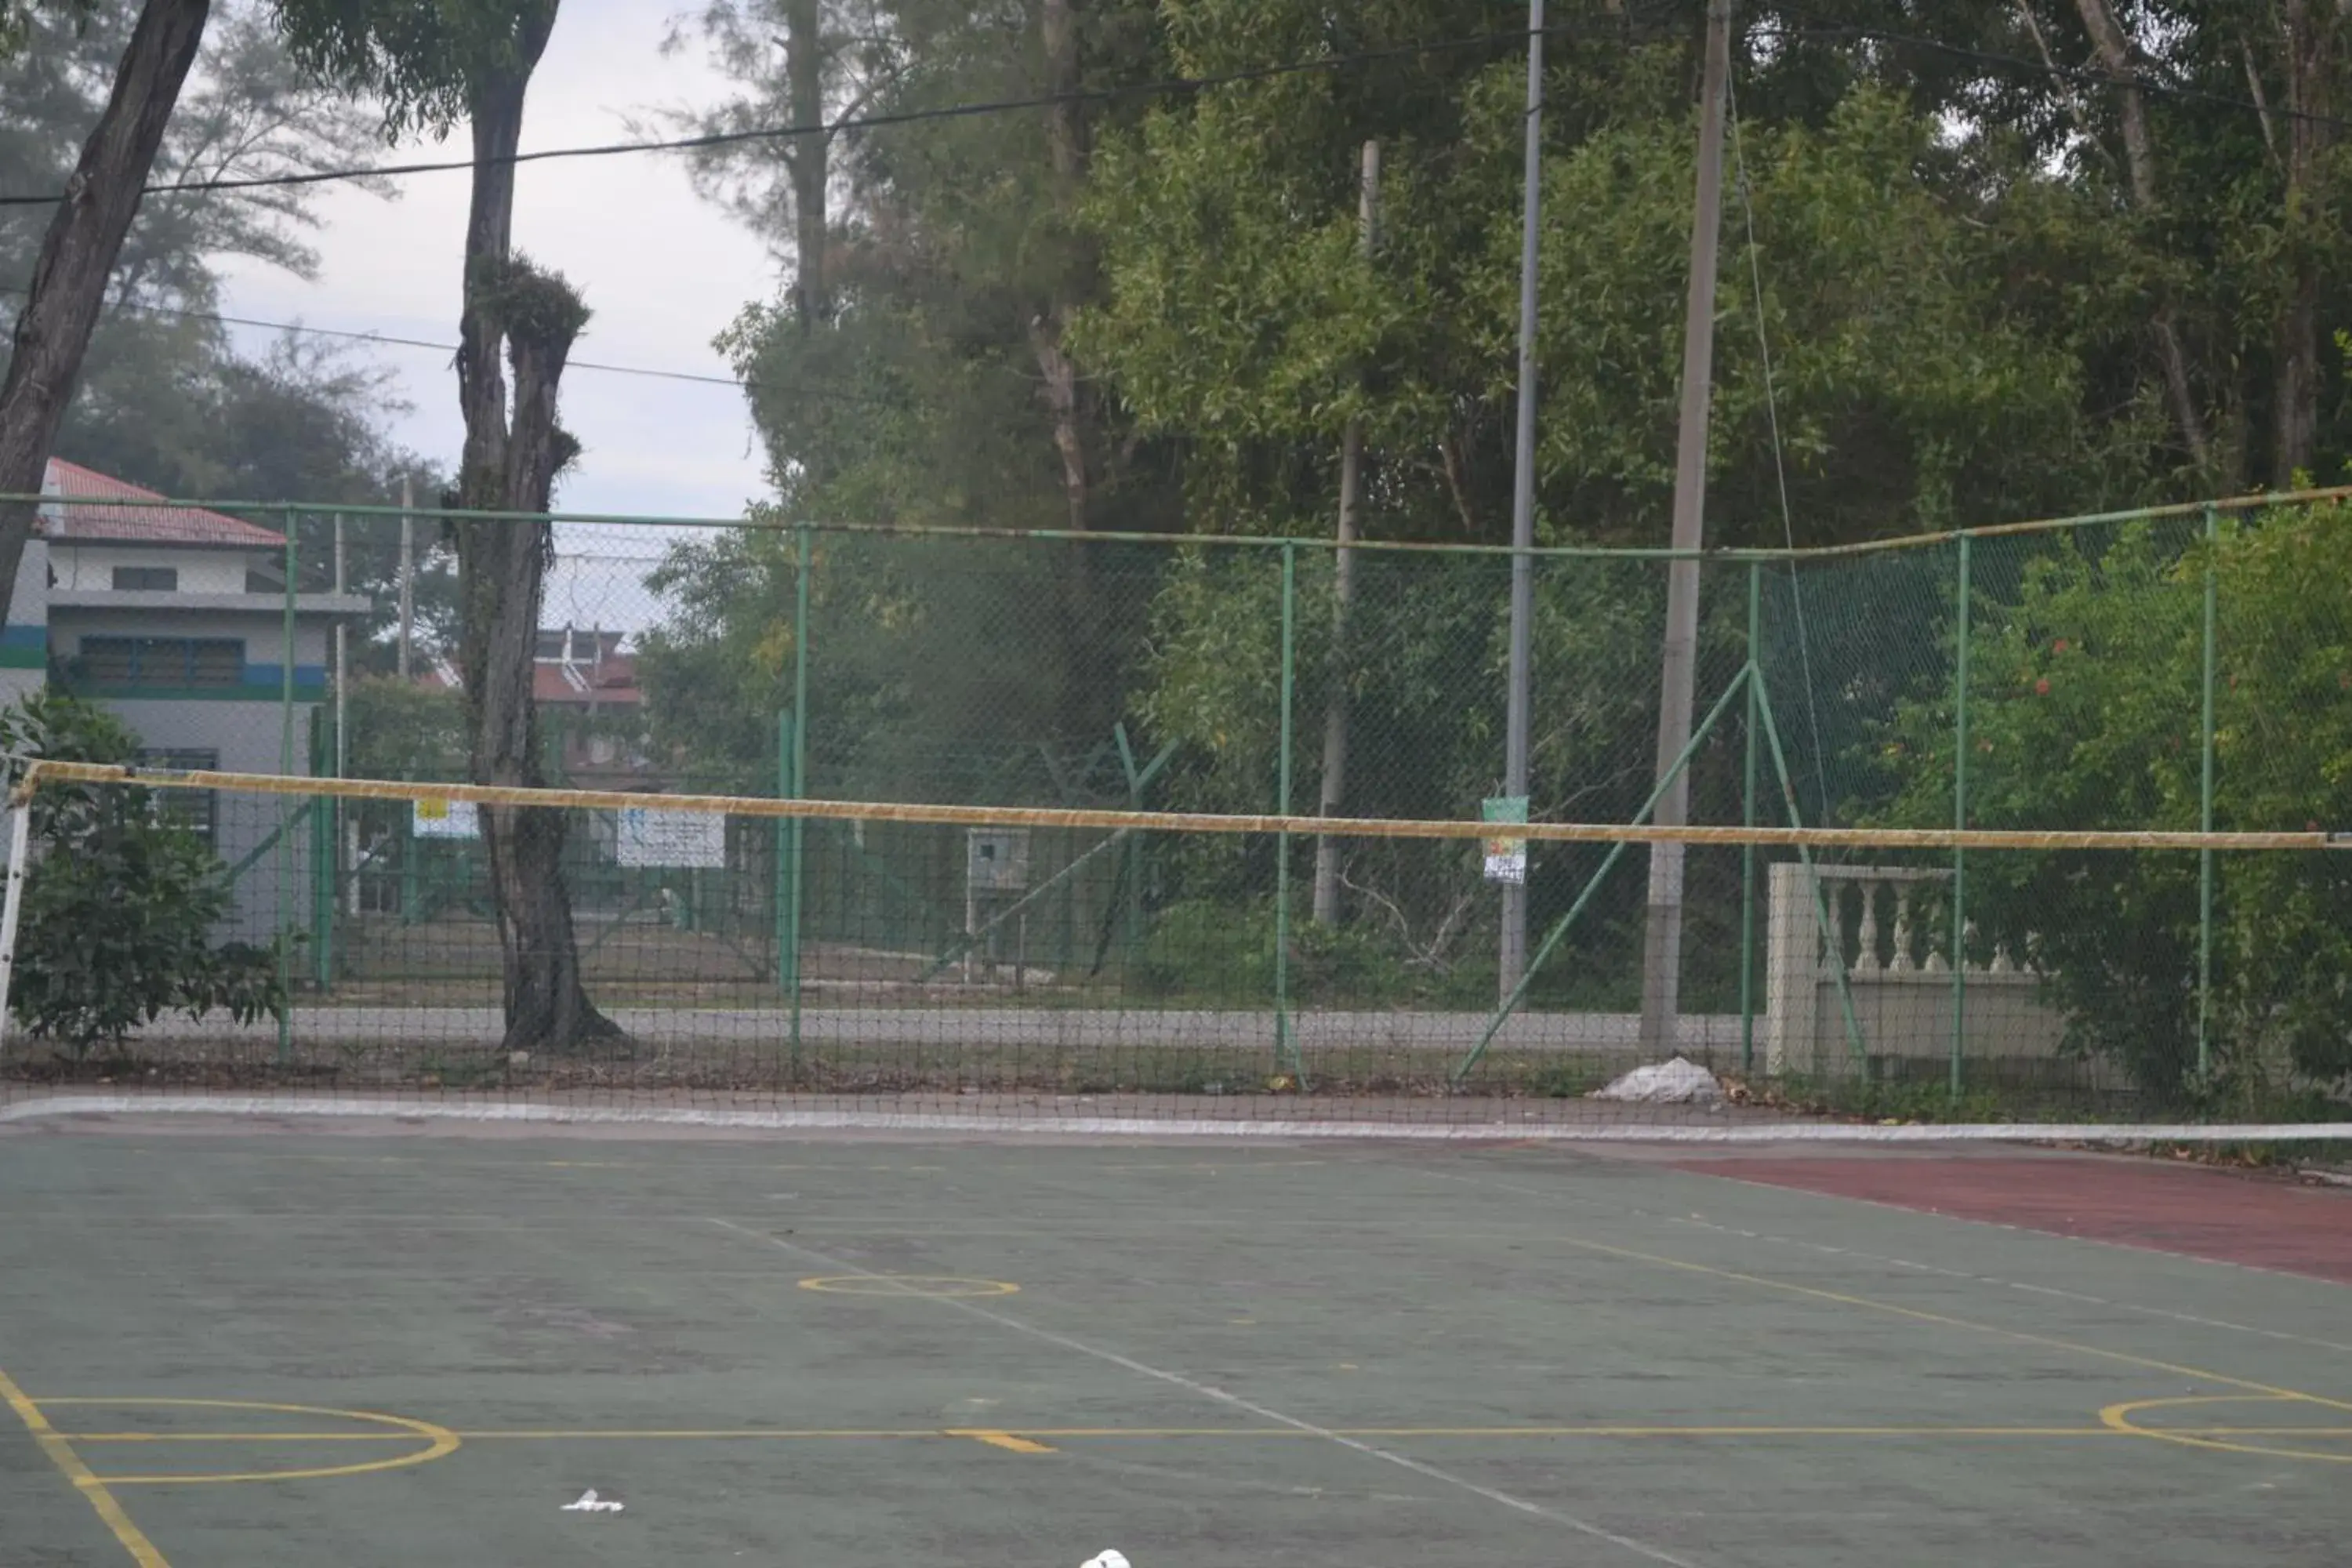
[[2294, 417]]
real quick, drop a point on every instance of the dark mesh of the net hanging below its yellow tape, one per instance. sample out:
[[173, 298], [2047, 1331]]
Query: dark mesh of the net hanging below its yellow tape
[[2073, 1000]]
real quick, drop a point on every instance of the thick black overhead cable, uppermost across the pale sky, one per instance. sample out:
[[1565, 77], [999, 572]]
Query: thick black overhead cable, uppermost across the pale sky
[[827, 128]]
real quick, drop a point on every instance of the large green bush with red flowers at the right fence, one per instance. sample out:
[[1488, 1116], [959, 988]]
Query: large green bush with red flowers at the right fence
[[2085, 713]]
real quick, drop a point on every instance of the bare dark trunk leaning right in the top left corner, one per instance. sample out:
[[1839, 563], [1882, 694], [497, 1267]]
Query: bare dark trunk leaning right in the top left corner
[[79, 253]]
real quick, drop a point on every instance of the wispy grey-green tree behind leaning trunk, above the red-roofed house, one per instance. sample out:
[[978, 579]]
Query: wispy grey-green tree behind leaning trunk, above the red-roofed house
[[166, 398]]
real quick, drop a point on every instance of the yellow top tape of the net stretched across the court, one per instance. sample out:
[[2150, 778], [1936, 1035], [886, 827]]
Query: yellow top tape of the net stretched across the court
[[1163, 822]]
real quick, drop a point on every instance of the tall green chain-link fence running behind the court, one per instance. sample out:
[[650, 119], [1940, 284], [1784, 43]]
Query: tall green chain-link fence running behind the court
[[2170, 671]]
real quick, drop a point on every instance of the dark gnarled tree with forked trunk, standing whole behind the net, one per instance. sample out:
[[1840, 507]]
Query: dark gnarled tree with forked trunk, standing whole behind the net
[[436, 62]]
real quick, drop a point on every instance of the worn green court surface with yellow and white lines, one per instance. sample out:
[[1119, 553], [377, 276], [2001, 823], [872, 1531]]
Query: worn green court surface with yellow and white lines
[[258, 1348]]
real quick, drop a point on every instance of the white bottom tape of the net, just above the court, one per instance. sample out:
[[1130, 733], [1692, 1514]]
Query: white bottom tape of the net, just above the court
[[46, 1108]]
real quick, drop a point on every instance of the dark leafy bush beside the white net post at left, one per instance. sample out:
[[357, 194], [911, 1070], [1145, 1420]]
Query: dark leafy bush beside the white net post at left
[[121, 902]]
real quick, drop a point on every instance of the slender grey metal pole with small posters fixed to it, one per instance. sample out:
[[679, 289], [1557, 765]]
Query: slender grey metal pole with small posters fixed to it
[[1523, 500]]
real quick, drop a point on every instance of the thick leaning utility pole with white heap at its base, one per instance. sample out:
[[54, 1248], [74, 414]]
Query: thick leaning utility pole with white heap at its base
[[1662, 946]]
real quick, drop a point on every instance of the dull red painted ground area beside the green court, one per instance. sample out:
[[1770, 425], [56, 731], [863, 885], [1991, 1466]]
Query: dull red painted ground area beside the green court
[[2224, 1217]]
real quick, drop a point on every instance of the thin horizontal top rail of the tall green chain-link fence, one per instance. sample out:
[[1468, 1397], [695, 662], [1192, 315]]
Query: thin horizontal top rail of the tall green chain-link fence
[[1236, 542]]
